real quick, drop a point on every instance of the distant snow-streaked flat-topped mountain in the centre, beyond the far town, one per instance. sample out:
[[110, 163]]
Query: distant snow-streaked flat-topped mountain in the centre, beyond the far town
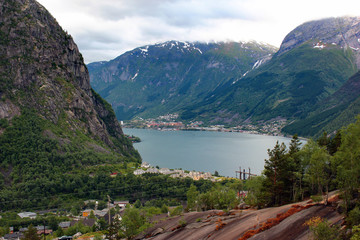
[[164, 78]]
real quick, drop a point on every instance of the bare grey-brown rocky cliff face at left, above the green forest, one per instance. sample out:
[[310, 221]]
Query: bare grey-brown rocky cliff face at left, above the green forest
[[41, 68]]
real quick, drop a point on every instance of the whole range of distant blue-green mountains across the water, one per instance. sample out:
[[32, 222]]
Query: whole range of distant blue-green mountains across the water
[[238, 83]]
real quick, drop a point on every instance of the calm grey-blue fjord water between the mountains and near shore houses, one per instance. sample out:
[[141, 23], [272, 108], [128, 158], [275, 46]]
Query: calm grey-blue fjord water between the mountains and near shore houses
[[204, 151]]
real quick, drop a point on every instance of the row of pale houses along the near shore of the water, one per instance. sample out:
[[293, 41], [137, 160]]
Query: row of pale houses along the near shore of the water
[[173, 173]]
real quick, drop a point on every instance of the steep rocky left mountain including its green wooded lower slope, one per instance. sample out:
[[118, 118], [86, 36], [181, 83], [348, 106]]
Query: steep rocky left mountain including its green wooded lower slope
[[52, 122]]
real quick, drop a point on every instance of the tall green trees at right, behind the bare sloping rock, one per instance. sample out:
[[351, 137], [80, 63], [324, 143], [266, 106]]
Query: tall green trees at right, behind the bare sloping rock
[[293, 173]]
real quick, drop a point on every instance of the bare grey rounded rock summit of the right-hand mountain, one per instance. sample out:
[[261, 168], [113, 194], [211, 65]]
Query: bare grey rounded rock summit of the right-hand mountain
[[342, 31]]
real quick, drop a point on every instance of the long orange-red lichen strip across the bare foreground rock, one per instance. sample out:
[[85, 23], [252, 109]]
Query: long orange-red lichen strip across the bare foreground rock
[[273, 221]]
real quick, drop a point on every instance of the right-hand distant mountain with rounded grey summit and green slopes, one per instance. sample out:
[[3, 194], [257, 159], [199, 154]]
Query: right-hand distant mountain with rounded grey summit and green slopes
[[313, 62]]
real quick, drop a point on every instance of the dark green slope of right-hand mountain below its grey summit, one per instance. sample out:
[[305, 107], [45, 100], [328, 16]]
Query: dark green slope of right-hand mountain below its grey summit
[[286, 87]]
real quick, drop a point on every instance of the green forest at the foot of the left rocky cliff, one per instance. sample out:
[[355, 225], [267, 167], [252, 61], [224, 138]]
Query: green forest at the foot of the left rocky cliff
[[38, 172]]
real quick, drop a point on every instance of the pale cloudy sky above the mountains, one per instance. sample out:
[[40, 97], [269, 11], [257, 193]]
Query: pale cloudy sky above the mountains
[[105, 29]]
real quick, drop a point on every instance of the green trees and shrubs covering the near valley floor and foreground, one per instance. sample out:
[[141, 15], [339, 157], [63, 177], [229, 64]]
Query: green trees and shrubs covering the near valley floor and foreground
[[38, 174]]
